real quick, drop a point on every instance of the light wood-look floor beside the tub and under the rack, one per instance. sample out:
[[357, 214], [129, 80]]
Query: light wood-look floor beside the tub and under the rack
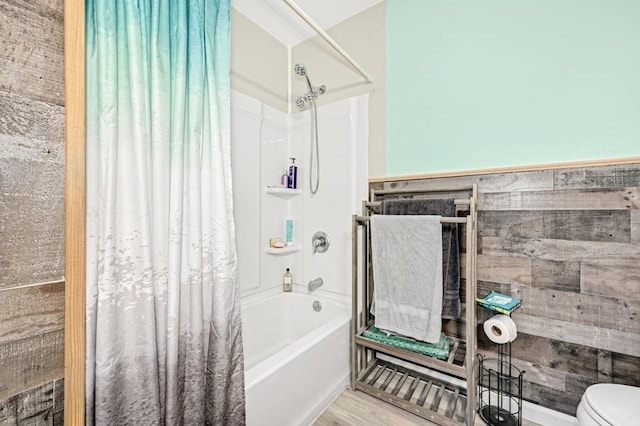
[[360, 409]]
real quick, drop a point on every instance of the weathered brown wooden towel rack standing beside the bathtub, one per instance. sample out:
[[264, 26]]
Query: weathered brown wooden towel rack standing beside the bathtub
[[442, 391]]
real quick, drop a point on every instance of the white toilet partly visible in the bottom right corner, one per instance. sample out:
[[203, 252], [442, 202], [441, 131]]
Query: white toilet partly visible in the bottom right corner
[[608, 404]]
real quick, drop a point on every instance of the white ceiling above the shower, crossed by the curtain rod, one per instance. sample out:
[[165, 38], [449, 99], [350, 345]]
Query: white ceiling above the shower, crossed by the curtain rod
[[279, 20]]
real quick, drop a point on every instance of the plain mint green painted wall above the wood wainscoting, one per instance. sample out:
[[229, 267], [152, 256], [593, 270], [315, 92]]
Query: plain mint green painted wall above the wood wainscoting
[[474, 84]]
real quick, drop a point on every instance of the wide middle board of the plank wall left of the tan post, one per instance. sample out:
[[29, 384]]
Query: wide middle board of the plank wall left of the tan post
[[31, 187]]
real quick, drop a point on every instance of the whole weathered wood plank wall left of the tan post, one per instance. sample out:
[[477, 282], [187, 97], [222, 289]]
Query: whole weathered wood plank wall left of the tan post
[[32, 212]]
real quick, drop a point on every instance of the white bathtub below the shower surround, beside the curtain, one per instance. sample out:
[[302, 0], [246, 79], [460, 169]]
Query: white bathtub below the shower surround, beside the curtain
[[296, 359]]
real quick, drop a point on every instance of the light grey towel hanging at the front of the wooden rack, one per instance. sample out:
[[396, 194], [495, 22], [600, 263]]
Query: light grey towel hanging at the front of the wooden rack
[[407, 271]]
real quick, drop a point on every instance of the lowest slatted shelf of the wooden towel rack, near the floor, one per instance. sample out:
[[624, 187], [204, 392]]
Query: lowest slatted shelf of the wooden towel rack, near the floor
[[420, 394]]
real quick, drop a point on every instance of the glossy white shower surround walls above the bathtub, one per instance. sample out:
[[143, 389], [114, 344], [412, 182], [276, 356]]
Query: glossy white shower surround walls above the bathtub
[[261, 208]]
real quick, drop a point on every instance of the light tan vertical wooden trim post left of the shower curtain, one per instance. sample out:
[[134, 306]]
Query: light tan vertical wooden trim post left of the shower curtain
[[74, 211]]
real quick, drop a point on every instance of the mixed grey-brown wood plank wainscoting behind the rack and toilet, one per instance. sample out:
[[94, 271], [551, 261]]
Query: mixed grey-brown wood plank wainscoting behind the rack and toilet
[[566, 241]]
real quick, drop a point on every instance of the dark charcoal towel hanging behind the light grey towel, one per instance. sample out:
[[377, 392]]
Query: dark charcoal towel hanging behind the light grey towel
[[451, 306]]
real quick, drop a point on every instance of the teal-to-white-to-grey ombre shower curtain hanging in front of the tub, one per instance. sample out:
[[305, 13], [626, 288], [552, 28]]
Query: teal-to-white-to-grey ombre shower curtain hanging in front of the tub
[[164, 340]]
